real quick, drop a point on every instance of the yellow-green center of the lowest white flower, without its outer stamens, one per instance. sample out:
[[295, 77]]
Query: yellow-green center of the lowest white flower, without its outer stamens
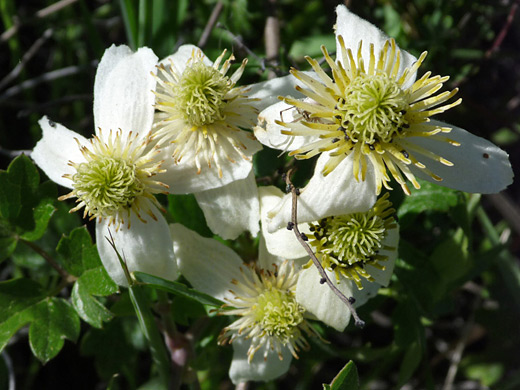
[[278, 313]]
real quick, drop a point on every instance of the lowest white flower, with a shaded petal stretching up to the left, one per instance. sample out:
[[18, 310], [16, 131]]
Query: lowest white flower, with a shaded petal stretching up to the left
[[271, 327]]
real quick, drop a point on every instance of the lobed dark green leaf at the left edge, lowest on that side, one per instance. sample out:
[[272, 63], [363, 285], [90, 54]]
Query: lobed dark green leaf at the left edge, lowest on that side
[[52, 319]]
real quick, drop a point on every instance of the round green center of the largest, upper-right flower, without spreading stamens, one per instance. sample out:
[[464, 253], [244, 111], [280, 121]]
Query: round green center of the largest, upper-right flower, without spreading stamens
[[373, 109]]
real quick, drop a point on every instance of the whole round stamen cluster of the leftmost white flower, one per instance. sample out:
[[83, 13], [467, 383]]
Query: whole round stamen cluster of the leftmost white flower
[[116, 179]]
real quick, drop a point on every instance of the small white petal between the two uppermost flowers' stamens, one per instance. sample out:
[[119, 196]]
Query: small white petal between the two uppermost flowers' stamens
[[268, 92]]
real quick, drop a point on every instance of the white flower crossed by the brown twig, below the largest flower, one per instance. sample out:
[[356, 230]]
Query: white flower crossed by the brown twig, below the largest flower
[[357, 250]]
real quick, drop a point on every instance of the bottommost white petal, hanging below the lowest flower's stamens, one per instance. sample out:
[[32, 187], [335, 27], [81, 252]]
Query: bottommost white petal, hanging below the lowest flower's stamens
[[259, 369]]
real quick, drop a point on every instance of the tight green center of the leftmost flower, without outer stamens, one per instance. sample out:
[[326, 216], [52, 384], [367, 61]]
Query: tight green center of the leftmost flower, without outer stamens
[[107, 185]]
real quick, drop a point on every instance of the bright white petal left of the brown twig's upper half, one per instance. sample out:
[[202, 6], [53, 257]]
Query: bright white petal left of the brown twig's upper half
[[282, 242]]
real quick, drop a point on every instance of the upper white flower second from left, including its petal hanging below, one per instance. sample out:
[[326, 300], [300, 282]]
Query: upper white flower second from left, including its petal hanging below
[[202, 120]]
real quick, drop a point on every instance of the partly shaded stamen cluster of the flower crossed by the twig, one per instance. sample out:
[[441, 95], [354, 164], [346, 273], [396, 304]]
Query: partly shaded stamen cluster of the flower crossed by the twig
[[346, 244]]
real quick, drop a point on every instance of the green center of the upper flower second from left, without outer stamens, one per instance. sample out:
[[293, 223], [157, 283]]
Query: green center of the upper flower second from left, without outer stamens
[[200, 94]]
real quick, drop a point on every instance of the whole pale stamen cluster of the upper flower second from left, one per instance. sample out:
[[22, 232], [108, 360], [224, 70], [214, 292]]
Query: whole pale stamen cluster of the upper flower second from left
[[201, 111]]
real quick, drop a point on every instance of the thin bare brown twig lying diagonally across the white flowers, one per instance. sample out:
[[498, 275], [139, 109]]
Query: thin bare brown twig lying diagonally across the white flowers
[[325, 279]]
